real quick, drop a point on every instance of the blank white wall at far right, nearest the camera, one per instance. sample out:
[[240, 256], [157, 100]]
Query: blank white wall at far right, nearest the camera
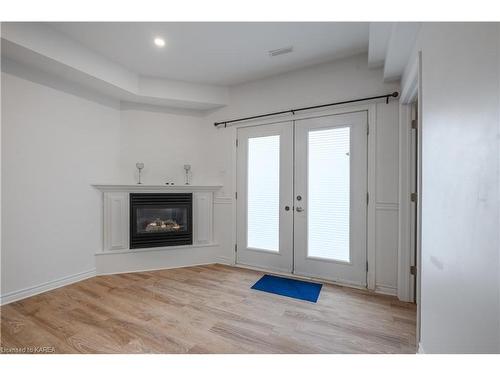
[[460, 194]]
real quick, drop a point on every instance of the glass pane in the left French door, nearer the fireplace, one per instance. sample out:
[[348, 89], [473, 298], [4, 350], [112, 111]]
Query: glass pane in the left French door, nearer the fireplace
[[263, 193]]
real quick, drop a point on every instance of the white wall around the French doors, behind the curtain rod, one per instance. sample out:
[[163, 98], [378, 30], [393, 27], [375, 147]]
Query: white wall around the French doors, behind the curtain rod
[[343, 79]]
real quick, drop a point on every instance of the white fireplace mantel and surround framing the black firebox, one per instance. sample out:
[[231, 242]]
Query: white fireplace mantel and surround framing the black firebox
[[116, 212]]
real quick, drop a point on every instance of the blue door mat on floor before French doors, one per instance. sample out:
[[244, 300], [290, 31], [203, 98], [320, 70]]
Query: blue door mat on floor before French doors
[[283, 286]]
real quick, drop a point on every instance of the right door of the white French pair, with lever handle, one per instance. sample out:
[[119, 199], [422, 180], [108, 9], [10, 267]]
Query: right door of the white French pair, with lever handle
[[331, 197]]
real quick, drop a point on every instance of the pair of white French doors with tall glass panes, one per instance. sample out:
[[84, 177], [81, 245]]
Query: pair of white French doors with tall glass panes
[[302, 197]]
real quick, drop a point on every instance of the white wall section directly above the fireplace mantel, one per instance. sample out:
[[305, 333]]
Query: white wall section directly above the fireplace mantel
[[165, 142]]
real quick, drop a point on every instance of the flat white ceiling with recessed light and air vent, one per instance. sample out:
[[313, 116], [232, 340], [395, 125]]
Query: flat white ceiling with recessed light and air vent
[[218, 53]]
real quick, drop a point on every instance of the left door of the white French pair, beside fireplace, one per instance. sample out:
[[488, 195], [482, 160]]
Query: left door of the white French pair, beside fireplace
[[265, 196]]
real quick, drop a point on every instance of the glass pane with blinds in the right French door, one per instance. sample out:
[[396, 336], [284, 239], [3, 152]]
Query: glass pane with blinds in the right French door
[[328, 194]]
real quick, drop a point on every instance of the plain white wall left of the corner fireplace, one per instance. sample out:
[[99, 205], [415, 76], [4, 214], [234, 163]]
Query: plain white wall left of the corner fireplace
[[54, 145]]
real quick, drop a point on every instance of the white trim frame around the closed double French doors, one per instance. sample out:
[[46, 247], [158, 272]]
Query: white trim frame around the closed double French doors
[[371, 109]]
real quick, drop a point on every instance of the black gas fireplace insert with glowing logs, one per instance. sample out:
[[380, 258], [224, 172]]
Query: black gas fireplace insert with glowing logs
[[158, 220]]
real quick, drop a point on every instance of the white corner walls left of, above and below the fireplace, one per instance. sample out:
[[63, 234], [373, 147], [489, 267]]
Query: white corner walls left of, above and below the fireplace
[[56, 142]]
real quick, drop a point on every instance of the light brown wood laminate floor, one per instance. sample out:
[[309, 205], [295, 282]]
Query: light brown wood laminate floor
[[204, 309]]
